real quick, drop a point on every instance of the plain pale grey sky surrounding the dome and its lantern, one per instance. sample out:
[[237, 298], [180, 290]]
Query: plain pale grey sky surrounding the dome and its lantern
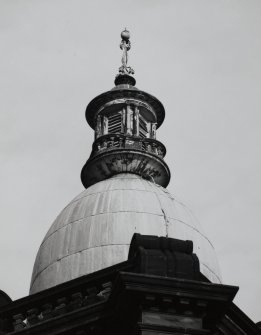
[[201, 58]]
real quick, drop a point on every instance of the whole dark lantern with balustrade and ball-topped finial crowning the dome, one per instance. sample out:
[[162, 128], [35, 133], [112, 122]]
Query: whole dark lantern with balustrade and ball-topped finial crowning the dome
[[125, 120]]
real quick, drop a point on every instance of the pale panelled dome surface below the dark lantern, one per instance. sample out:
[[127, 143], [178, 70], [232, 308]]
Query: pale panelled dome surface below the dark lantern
[[94, 231]]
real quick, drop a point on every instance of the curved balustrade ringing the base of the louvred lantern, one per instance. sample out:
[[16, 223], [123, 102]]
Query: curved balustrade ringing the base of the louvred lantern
[[118, 141]]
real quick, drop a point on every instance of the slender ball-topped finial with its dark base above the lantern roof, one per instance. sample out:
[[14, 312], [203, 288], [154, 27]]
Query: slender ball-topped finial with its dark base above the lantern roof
[[125, 71]]
